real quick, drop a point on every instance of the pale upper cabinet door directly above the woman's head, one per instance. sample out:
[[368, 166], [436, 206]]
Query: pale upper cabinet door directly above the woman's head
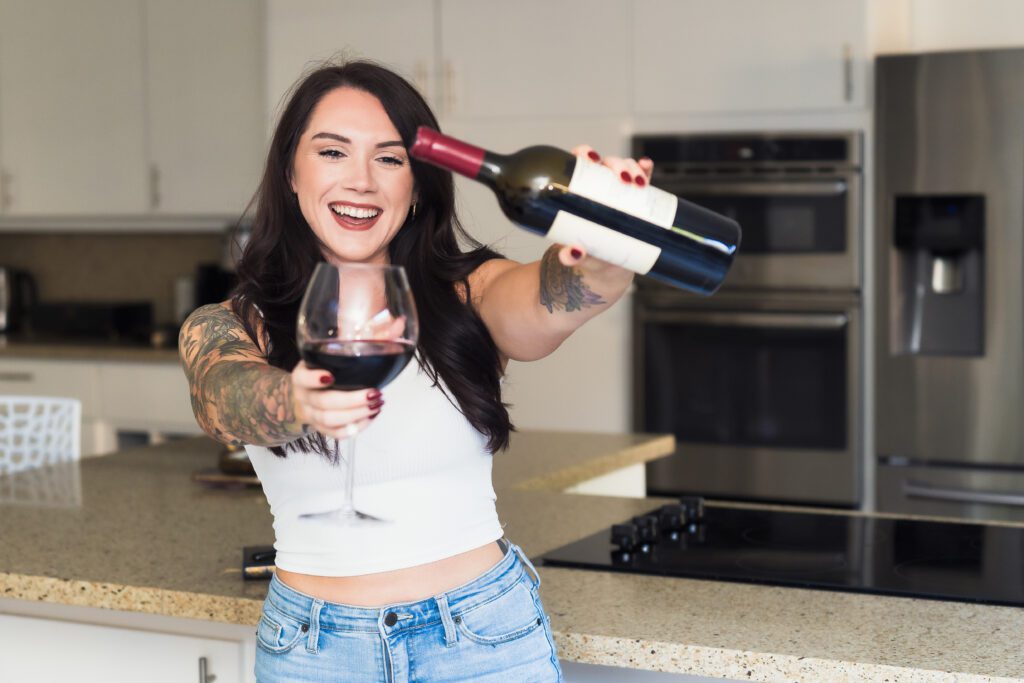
[[399, 34]]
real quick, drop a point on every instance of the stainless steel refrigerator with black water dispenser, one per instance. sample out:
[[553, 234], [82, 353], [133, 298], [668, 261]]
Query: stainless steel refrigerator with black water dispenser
[[950, 308]]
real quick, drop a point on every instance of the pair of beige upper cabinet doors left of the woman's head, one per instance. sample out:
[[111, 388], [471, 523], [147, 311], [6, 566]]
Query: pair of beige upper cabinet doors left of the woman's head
[[131, 108]]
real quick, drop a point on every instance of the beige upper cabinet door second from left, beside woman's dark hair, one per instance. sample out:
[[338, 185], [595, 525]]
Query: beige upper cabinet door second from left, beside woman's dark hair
[[205, 102]]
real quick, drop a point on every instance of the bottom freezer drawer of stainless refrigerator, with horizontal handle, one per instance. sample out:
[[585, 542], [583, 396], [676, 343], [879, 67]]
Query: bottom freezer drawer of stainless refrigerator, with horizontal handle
[[951, 492]]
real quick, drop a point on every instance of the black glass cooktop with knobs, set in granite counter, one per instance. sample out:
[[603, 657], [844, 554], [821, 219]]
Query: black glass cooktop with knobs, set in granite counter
[[970, 563]]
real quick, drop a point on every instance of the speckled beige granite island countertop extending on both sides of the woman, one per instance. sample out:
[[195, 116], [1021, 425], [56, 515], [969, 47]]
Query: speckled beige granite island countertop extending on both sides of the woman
[[132, 532]]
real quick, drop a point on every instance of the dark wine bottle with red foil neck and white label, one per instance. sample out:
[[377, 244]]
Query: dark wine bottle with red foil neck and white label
[[575, 201]]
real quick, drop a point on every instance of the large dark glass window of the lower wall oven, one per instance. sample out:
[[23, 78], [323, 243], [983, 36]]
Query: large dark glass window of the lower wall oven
[[747, 387]]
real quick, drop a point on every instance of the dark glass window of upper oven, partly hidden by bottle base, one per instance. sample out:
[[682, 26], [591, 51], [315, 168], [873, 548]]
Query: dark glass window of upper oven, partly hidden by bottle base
[[783, 224]]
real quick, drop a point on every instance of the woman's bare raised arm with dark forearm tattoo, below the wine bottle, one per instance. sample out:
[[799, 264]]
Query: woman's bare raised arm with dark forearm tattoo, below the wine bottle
[[532, 309]]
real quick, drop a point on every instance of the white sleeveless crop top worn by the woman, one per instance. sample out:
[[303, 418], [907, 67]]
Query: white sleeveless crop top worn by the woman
[[419, 464]]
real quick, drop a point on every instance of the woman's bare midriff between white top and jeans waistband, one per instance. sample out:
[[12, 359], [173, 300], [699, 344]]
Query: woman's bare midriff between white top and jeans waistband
[[408, 585]]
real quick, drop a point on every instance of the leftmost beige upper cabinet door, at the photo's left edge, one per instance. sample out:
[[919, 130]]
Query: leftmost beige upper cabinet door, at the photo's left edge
[[72, 113]]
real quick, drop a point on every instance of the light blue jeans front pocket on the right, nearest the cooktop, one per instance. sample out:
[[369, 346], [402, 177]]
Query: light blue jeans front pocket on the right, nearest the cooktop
[[511, 616]]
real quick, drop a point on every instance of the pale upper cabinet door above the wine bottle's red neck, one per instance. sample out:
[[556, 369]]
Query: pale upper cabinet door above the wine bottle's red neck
[[535, 58]]
